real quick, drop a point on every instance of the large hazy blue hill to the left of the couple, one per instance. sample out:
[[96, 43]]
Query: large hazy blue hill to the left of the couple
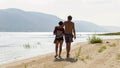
[[18, 20]]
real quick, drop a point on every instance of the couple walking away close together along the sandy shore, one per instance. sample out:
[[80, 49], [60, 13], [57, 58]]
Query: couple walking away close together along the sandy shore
[[66, 29]]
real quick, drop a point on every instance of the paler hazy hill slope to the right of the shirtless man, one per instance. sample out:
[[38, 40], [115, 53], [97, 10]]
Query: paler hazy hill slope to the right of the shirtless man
[[88, 27]]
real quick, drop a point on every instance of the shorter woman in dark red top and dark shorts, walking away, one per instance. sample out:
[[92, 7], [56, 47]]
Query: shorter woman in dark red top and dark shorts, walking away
[[58, 32]]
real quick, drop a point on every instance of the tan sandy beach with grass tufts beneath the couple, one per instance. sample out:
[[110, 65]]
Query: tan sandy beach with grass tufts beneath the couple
[[90, 57]]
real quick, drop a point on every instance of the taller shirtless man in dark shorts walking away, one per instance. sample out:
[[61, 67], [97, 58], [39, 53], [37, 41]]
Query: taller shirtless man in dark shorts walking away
[[69, 34]]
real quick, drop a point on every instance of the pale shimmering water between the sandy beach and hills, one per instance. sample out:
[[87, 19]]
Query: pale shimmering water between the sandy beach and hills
[[20, 45]]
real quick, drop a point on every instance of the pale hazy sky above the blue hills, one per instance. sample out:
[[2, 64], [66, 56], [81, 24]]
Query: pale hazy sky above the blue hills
[[101, 12]]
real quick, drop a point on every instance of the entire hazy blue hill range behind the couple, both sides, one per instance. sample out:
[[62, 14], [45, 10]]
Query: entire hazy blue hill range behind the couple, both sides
[[16, 20]]
